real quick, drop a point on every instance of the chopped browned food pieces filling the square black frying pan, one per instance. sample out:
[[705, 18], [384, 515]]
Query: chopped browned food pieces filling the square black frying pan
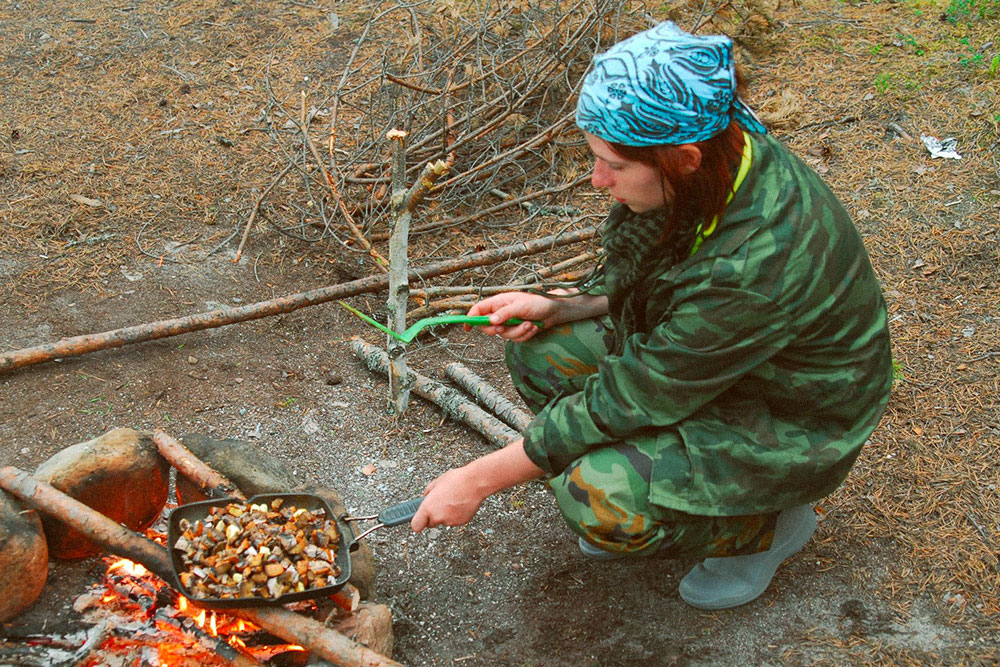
[[257, 551]]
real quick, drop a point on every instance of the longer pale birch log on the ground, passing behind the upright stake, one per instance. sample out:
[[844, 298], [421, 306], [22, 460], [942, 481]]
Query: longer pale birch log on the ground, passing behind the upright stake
[[451, 401]]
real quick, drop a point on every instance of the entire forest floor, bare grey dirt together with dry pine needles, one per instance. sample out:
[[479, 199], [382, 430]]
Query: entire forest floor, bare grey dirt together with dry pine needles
[[150, 111]]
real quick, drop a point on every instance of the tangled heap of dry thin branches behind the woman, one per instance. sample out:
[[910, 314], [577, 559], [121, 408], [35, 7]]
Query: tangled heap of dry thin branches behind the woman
[[491, 90]]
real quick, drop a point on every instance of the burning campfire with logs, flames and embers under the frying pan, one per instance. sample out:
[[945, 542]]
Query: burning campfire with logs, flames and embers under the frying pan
[[136, 613]]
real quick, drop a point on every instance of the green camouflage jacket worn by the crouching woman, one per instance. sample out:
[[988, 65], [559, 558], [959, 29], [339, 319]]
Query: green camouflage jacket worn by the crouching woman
[[764, 356]]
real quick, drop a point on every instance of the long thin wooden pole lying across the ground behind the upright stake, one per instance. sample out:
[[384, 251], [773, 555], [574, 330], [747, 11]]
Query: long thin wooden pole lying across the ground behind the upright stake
[[78, 345]]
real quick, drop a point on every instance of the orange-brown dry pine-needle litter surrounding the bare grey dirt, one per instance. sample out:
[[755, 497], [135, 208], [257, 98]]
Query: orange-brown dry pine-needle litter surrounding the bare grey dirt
[[160, 112]]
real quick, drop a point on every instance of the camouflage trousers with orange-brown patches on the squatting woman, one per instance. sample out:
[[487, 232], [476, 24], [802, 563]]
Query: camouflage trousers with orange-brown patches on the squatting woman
[[604, 494]]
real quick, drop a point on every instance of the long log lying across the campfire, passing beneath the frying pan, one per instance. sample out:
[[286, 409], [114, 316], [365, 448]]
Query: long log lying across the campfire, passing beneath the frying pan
[[114, 537]]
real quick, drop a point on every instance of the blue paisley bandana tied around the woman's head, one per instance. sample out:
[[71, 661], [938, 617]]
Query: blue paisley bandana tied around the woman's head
[[663, 86]]
